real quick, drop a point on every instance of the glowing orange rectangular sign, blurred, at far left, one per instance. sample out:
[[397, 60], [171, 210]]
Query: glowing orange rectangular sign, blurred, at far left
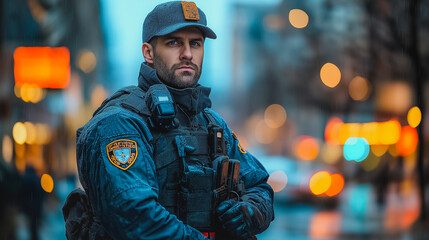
[[44, 67]]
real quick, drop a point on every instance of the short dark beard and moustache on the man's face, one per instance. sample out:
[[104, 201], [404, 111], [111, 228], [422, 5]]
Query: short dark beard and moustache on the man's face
[[181, 80]]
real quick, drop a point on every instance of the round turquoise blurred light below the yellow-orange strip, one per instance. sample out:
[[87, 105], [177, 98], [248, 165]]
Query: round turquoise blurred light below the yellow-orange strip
[[356, 149]]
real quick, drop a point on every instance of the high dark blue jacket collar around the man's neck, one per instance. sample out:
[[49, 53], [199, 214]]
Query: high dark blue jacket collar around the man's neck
[[192, 100]]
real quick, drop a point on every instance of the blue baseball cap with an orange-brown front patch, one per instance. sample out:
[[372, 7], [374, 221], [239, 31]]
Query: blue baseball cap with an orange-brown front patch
[[171, 16]]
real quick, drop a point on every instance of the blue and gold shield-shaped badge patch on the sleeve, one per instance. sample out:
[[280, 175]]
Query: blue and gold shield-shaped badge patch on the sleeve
[[122, 153]]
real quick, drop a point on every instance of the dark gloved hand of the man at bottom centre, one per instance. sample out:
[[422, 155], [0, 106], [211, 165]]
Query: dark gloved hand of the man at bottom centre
[[239, 219]]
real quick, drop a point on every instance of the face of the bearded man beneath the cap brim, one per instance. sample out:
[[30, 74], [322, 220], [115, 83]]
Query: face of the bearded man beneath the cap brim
[[178, 57]]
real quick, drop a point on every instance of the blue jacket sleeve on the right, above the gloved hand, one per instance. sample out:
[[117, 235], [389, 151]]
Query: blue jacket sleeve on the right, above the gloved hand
[[258, 192]]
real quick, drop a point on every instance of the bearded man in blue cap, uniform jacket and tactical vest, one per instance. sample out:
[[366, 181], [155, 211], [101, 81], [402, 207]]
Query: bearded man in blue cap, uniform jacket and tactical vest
[[148, 158]]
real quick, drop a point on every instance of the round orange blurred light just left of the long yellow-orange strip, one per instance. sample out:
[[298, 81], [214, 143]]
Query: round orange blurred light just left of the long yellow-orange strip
[[306, 147]]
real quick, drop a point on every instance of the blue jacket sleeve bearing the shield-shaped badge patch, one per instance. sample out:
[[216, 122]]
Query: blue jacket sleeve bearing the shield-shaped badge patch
[[124, 196]]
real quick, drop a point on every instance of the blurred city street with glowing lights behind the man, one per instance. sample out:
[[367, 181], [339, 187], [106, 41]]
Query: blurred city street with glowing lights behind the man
[[330, 95]]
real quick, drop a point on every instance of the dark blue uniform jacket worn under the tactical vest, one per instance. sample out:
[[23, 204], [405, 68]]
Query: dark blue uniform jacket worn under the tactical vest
[[125, 201]]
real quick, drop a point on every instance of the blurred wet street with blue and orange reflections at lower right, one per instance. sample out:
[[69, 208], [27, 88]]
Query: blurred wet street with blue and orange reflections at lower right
[[356, 217]]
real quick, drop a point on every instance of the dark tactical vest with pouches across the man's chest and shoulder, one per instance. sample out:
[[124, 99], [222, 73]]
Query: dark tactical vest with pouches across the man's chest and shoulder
[[182, 158]]
